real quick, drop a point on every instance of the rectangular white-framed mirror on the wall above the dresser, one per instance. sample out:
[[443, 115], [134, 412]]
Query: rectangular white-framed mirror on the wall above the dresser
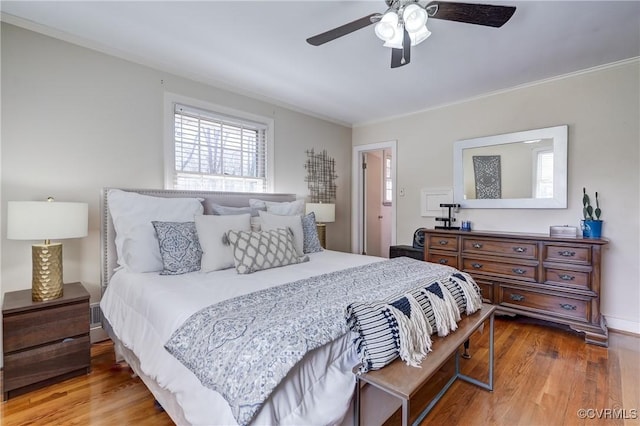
[[526, 170]]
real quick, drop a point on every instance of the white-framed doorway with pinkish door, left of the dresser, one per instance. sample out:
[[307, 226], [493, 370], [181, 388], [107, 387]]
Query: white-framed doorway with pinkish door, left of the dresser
[[374, 204]]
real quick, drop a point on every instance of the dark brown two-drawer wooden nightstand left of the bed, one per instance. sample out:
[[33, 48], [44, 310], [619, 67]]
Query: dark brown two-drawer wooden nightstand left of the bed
[[44, 342]]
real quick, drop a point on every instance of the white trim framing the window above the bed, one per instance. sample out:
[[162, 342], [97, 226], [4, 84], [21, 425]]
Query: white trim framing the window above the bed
[[170, 99]]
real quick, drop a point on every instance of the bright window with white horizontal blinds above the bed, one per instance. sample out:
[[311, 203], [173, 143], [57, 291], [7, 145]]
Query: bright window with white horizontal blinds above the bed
[[217, 152]]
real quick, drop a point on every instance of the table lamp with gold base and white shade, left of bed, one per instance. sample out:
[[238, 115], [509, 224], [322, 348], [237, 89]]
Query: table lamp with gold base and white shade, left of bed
[[46, 221]]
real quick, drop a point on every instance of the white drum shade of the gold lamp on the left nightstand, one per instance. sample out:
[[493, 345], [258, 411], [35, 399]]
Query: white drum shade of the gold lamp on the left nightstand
[[46, 220]]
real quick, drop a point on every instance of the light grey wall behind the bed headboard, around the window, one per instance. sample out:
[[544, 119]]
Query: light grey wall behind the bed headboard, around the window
[[75, 121]]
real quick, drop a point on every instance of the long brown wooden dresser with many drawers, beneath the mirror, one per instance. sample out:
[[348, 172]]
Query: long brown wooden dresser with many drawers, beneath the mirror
[[549, 278]]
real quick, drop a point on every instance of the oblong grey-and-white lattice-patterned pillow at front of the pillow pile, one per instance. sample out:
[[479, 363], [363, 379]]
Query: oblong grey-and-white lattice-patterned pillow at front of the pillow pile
[[254, 251]]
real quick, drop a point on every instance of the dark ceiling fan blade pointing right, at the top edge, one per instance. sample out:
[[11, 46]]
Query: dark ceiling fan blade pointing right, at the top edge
[[471, 13]]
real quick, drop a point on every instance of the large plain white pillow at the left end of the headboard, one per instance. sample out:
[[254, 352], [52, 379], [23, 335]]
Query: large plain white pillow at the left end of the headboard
[[132, 213]]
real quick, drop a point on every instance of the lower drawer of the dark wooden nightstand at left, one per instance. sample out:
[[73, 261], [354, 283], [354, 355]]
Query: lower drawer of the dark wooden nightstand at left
[[44, 362]]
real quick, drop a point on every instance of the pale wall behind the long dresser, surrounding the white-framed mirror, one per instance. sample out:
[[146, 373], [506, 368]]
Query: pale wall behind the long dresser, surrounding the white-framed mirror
[[602, 110]]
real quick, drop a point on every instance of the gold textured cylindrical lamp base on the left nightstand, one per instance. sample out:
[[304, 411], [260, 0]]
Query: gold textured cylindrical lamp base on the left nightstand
[[46, 283]]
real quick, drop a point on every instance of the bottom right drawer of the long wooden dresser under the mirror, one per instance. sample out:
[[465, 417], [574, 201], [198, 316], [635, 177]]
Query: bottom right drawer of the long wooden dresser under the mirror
[[548, 303]]
